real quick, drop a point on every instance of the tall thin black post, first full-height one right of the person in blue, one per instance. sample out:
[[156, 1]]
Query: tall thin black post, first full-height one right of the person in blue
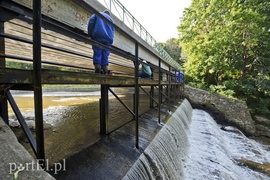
[[137, 93]]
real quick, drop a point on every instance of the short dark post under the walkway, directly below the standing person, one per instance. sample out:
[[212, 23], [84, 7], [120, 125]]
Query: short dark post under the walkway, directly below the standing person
[[104, 109]]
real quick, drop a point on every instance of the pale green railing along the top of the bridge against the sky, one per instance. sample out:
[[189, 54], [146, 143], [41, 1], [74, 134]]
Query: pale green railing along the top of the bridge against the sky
[[128, 19]]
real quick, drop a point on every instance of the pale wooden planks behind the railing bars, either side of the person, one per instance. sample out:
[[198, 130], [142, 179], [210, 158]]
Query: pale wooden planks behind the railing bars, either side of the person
[[24, 30]]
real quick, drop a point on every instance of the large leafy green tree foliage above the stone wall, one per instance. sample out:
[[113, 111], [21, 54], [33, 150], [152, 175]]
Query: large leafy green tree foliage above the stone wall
[[227, 43]]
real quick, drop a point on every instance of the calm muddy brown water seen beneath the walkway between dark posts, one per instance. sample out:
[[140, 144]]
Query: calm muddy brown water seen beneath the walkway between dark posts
[[72, 122]]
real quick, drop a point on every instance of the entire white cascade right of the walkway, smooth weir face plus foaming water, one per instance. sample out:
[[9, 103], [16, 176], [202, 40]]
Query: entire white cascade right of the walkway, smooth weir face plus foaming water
[[195, 147]]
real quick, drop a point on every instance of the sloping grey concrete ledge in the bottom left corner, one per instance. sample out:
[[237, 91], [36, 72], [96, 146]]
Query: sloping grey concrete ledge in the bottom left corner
[[15, 160]]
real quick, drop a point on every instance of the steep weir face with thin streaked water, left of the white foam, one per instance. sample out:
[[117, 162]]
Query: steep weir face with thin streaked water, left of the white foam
[[162, 159]]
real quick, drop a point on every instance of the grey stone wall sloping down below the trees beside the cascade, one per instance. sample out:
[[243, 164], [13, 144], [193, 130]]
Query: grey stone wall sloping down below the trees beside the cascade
[[225, 110]]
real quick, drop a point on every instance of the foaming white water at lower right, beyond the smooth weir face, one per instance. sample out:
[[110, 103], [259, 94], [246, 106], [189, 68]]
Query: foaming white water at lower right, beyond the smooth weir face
[[216, 154]]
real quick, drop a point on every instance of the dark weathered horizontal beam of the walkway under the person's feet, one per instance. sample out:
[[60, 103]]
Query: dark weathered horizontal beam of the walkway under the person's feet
[[25, 77]]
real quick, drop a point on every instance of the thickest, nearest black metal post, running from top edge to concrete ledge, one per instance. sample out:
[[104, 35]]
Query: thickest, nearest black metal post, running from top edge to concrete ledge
[[37, 80]]
